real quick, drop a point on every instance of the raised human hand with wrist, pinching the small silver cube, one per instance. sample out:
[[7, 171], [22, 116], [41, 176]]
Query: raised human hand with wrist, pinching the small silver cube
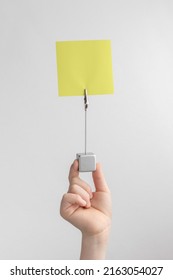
[[88, 211]]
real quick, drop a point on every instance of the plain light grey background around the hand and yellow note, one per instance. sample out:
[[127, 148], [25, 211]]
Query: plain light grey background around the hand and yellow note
[[131, 132]]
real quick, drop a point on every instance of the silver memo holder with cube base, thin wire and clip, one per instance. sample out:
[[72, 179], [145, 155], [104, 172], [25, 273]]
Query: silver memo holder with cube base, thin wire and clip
[[87, 161]]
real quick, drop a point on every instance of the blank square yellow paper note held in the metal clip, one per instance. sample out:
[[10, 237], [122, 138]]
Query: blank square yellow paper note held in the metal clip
[[84, 65]]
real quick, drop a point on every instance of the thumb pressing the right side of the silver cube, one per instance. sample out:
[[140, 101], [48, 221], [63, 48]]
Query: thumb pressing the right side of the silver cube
[[99, 179]]
